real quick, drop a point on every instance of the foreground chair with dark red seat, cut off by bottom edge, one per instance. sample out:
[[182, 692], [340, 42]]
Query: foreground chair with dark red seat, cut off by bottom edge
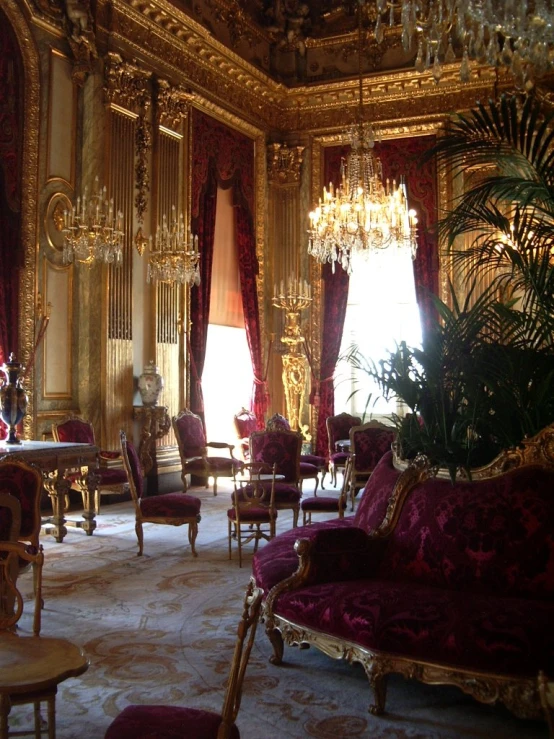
[[168, 722]]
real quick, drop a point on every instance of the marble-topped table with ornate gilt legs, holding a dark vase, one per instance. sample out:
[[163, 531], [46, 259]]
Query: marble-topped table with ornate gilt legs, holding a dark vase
[[55, 459]]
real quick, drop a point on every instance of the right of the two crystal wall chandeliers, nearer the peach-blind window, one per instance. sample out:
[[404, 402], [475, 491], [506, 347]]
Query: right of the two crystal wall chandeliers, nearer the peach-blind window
[[173, 255]]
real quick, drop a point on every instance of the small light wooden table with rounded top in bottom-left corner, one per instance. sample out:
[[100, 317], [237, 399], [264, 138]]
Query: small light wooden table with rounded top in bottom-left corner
[[31, 668]]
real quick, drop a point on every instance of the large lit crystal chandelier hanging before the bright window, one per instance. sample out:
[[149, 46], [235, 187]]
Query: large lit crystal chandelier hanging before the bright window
[[363, 213]]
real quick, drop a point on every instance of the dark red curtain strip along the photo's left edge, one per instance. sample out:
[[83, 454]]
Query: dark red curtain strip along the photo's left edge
[[11, 255]]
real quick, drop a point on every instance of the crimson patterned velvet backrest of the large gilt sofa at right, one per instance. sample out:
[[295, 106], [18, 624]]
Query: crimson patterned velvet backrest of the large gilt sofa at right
[[490, 536]]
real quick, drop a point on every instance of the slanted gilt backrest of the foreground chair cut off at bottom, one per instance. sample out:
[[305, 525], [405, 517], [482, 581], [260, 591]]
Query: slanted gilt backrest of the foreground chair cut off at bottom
[[245, 639]]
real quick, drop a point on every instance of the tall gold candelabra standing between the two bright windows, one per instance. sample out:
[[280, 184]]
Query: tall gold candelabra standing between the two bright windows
[[293, 297]]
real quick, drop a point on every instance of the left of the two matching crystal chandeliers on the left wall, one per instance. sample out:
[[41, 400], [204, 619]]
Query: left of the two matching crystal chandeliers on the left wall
[[93, 230]]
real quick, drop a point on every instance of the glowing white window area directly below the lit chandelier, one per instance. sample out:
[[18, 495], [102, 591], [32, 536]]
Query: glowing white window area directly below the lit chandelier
[[382, 311]]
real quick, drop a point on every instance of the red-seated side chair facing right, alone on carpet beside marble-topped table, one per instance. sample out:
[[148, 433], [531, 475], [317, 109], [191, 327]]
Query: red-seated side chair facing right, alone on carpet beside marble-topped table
[[173, 509]]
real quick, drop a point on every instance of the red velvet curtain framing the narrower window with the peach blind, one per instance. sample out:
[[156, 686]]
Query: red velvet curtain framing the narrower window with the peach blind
[[224, 157]]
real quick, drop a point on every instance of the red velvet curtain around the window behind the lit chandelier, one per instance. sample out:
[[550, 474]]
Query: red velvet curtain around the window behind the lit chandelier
[[398, 157]]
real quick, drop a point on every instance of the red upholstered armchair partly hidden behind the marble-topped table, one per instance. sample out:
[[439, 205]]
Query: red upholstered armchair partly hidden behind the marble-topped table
[[111, 480]]
